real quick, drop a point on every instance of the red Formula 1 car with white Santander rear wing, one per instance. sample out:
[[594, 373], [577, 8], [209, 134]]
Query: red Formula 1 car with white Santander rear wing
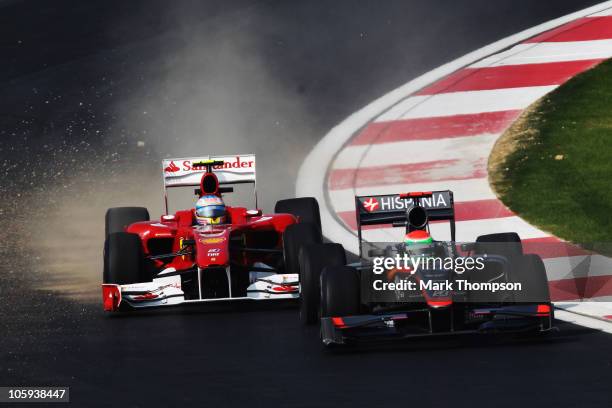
[[173, 260]]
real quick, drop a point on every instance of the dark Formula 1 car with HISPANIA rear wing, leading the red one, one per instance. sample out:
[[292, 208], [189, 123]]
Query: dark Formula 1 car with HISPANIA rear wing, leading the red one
[[344, 299]]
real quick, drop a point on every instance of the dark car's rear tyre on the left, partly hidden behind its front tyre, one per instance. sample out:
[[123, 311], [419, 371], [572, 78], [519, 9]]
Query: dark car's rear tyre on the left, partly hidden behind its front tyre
[[312, 260]]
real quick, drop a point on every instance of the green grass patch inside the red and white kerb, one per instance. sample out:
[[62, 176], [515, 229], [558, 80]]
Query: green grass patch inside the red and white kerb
[[572, 197]]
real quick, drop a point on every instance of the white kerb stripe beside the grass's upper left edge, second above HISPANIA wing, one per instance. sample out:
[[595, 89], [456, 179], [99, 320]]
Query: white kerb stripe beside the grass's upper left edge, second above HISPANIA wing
[[461, 103]]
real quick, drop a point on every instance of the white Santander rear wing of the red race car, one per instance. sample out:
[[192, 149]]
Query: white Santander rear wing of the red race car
[[187, 172]]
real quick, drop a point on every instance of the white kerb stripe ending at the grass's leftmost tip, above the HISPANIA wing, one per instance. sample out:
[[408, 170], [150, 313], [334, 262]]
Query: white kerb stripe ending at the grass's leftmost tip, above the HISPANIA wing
[[363, 156]]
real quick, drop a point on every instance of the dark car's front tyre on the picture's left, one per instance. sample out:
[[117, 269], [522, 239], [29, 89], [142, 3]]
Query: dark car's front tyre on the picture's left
[[340, 291]]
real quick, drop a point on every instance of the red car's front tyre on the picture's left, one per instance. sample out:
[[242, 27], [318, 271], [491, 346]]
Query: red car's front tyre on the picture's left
[[123, 259]]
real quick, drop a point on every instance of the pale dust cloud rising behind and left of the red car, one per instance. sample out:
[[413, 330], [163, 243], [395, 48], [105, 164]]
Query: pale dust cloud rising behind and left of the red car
[[203, 88]]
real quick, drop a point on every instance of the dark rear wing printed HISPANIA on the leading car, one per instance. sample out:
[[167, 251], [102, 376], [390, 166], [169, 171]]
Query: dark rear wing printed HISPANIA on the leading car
[[392, 208]]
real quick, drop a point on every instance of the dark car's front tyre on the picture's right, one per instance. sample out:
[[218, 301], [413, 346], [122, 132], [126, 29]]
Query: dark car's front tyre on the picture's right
[[530, 272]]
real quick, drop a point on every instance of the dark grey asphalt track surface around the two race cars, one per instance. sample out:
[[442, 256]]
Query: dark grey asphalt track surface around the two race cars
[[334, 58]]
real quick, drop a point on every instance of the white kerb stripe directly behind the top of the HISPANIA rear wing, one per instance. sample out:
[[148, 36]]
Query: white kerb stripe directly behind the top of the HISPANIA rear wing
[[464, 190]]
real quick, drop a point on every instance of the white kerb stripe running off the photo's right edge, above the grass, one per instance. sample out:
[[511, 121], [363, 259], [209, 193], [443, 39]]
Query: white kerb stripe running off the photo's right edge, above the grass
[[538, 53]]
